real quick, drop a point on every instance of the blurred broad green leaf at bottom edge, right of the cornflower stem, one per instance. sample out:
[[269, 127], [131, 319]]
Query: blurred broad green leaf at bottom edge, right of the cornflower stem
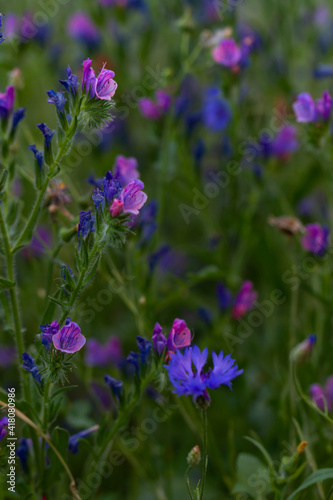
[[252, 477]]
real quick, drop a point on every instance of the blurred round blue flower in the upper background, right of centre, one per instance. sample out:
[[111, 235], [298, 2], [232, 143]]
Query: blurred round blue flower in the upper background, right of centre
[[216, 111]]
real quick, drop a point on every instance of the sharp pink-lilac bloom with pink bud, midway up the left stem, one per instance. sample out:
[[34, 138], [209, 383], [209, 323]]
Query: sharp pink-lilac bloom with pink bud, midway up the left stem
[[130, 200]]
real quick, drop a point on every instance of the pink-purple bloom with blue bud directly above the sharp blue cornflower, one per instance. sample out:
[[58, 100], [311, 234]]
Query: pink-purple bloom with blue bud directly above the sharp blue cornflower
[[179, 337]]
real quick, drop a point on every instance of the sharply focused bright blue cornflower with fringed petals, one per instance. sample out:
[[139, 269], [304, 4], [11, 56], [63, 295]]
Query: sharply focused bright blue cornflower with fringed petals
[[189, 381]]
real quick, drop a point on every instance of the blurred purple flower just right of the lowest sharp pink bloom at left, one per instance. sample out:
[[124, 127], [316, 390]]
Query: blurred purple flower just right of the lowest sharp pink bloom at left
[[98, 354]]
